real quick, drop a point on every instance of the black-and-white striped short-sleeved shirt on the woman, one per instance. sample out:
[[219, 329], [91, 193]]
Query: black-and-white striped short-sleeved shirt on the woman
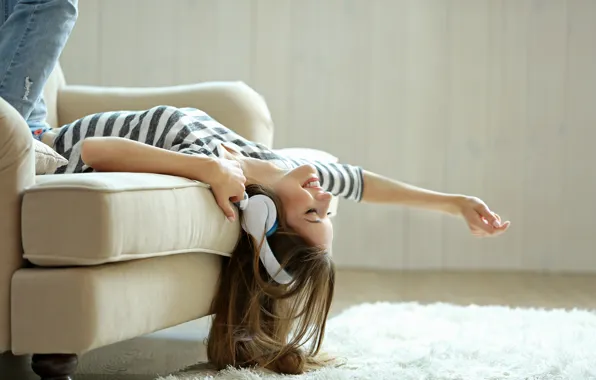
[[190, 131]]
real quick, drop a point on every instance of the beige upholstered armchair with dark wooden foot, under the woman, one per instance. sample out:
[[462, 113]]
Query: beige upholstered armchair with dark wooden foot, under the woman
[[87, 260]]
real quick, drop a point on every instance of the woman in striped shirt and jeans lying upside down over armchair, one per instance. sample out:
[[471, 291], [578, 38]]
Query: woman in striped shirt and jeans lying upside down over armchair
[[275, 291]]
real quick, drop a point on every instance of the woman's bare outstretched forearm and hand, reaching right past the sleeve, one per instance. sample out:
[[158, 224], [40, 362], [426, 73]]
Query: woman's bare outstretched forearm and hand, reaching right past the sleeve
[[480, 219]]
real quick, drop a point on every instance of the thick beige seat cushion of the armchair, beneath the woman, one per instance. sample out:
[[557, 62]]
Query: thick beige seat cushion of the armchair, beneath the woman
[[96, 218]]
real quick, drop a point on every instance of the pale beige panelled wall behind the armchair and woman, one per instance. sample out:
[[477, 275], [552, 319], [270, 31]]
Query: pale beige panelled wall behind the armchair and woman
[[491, 98]]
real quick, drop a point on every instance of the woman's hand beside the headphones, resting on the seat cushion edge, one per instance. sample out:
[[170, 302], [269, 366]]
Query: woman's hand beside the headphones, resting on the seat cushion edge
[[227, 183]]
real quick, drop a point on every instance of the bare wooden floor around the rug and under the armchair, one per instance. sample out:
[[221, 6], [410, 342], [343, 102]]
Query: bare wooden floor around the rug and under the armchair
[[166, 351]]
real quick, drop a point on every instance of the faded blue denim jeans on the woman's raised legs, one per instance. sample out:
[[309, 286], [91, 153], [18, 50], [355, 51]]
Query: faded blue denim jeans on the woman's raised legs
[[32, 36]]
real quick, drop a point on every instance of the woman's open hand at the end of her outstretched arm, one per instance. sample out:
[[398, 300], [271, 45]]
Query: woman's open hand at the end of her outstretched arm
[[480, 219]]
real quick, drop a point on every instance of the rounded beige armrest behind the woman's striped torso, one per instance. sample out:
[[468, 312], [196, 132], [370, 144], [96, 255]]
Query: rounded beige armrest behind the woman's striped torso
[[233, 104]]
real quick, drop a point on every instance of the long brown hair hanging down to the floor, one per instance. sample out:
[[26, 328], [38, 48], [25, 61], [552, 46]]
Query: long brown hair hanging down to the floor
[[259, 322]]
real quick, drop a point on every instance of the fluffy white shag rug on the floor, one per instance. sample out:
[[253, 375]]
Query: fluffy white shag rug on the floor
[[440, 341]]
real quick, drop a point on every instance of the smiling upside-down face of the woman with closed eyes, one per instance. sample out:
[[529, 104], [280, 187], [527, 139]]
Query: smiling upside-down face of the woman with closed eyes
[[306, 205]]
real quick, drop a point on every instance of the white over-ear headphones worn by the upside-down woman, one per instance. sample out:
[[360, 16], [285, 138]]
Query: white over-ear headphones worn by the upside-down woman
[[259, 219]]
